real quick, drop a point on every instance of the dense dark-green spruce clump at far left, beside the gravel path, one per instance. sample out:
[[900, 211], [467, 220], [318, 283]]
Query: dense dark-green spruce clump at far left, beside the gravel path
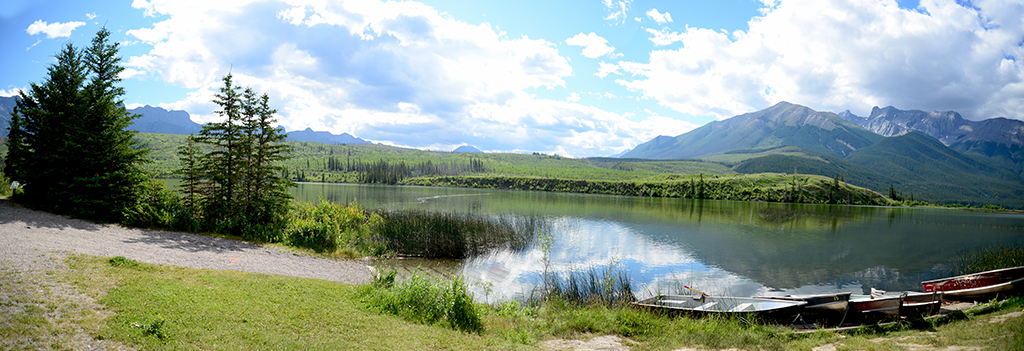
[[71, 149]]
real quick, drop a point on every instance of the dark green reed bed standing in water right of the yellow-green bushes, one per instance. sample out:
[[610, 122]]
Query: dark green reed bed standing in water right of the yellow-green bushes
[[450, 235]]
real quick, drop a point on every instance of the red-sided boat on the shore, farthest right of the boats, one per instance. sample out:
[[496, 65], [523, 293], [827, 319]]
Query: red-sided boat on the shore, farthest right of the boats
[[978, 286]]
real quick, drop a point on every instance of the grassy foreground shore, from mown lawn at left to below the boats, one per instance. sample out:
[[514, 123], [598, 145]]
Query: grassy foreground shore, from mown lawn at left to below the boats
[[166, 308]]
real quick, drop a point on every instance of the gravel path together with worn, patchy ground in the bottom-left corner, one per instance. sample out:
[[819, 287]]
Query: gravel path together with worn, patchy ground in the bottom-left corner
[[33, 243]]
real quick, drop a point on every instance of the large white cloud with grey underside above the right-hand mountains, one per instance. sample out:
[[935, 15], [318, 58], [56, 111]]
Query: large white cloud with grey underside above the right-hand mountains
[[837, 55]]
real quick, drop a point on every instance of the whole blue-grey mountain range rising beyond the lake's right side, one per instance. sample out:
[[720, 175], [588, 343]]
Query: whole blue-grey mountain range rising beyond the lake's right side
[[936, 157]]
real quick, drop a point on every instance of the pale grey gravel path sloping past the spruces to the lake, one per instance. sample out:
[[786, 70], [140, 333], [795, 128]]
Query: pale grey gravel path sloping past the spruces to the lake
[[27, 237]]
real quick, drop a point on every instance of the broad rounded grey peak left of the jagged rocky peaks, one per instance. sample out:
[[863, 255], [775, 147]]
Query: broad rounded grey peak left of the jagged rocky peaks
[[783, 124]]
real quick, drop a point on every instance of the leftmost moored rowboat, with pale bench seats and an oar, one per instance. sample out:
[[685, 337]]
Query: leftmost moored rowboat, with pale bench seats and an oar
[[703, 305]]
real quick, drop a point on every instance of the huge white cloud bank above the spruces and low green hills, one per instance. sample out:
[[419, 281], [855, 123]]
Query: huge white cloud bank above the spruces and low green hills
[[398, 73]]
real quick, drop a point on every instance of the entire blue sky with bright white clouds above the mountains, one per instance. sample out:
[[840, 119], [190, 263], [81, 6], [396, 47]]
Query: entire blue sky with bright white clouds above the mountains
[[576, 78]]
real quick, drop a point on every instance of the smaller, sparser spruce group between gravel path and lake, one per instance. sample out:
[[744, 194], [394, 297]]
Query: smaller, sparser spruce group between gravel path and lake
[[240, 180]]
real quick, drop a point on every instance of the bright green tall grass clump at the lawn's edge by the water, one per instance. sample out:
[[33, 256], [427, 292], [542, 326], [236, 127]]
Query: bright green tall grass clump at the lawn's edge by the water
[[421, 299]]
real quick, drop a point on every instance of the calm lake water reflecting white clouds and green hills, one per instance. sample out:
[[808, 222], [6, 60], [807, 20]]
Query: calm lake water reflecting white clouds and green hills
[[721, 248]]
